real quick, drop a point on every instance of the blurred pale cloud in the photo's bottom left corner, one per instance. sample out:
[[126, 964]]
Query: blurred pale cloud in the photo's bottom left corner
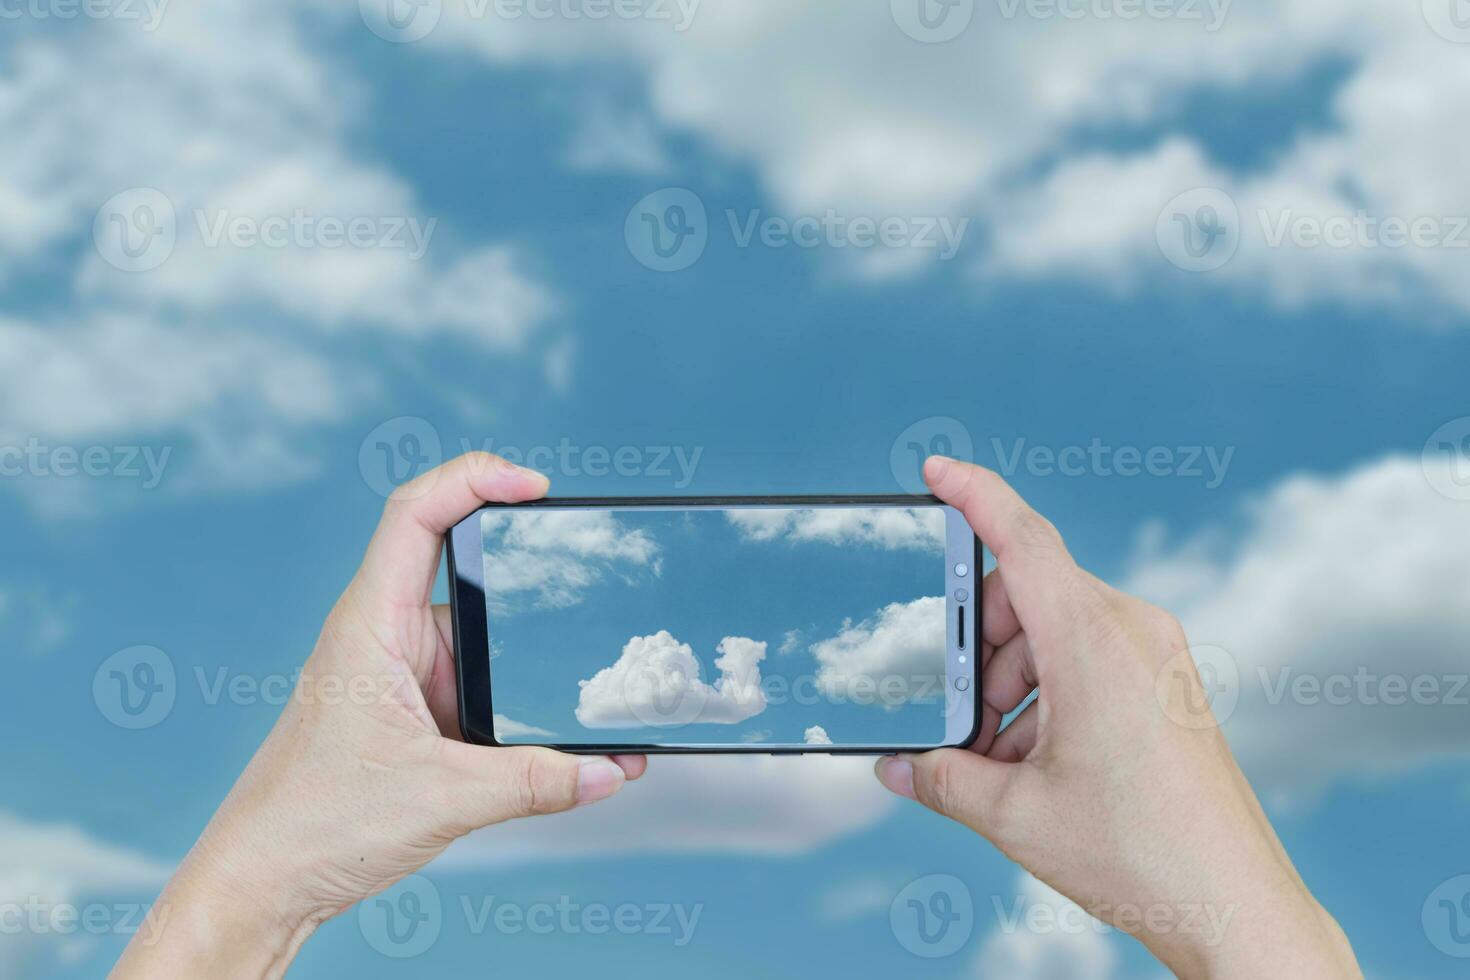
[[62, 866]]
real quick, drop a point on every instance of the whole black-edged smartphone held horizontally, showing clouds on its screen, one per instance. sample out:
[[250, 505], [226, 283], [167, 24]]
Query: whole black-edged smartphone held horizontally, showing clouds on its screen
[[774, 625]]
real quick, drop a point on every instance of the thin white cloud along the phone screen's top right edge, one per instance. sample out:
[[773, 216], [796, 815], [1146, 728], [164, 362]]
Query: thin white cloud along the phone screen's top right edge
[[892, 528]]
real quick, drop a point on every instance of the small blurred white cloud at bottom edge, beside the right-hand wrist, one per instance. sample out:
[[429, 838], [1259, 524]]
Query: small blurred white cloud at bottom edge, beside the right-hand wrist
[[1069, 947]]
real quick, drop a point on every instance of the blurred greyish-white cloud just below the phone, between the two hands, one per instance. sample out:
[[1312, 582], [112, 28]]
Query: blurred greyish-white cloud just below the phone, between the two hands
[[711, 804]]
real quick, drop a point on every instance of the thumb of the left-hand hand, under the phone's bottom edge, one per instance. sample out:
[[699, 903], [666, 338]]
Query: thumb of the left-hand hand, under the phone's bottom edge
[[501, 784]]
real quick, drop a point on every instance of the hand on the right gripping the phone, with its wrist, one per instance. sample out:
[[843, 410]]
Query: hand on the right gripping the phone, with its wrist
[[1100, 788]]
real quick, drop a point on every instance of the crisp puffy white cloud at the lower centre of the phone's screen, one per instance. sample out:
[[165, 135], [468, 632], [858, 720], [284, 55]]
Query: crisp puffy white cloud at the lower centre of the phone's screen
[[656, 682]]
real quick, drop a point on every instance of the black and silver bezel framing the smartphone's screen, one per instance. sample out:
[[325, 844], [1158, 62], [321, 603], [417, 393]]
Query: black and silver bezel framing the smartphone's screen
[[473, 630]]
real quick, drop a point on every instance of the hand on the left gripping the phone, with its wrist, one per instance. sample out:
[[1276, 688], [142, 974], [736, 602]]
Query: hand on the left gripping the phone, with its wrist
[[365, 778]]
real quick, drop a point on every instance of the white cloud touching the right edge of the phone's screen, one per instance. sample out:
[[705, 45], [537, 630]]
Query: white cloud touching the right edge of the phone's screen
[[889, 659]]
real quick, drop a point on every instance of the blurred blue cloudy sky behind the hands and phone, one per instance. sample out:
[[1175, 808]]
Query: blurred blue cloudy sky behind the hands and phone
[[1066, 327]]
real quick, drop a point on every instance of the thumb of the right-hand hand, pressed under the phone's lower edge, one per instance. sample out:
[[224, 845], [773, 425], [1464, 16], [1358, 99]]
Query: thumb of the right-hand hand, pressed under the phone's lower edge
[[958, 784]]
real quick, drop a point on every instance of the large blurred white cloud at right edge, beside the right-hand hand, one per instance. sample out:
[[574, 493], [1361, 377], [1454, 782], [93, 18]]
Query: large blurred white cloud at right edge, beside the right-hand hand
[[1352, 583]]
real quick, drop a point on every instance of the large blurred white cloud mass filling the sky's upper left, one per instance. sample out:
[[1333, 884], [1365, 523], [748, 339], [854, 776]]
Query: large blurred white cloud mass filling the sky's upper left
[[224, 114]]
